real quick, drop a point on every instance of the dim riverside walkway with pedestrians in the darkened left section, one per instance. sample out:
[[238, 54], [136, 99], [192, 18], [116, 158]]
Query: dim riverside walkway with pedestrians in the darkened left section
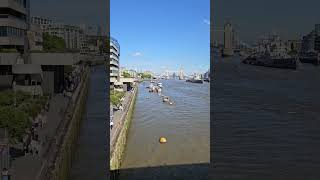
[[37, 167]]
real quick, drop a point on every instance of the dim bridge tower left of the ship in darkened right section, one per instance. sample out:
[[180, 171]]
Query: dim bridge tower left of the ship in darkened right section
[[228, 40]]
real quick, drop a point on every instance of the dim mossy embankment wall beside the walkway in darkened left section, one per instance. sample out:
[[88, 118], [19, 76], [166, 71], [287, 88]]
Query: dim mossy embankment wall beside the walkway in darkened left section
[[58, 163]]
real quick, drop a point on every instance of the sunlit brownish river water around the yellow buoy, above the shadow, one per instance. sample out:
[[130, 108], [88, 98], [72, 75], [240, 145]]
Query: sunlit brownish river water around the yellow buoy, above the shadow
[[186, 125]]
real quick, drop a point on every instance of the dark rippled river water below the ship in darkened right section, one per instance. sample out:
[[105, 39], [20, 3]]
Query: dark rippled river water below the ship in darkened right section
[[266, 121]]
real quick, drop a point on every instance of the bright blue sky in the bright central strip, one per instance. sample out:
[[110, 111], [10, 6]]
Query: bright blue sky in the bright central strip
[[158, 35]]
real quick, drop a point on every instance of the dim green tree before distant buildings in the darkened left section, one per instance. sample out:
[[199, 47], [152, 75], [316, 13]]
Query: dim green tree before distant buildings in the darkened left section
[[53, 43]]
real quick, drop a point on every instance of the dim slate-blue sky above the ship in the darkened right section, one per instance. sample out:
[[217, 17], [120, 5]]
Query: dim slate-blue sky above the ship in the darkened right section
[[252, 19]]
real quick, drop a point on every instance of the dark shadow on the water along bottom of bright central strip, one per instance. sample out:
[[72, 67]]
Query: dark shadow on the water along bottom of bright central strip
[[183, 172]]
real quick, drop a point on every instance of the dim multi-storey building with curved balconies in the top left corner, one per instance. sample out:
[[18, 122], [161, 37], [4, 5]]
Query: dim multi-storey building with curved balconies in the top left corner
[[14, 24]]
